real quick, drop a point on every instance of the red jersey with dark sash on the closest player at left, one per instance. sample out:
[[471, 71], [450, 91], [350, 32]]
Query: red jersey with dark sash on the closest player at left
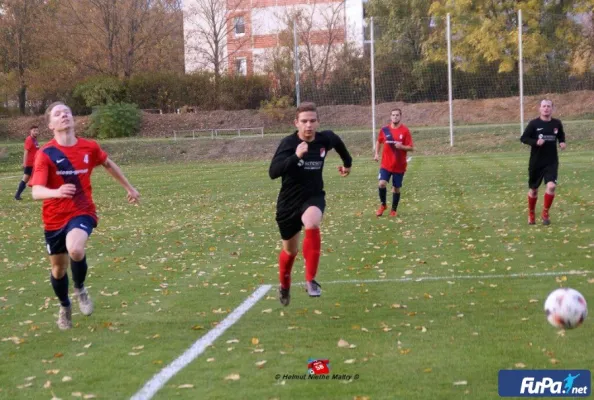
[[57, 165]]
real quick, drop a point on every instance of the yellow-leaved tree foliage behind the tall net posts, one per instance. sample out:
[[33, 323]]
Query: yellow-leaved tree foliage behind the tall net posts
[[486, 31]]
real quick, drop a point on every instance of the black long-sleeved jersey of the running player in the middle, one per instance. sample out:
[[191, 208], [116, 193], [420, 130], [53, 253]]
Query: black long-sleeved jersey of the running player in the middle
[[302, 178]]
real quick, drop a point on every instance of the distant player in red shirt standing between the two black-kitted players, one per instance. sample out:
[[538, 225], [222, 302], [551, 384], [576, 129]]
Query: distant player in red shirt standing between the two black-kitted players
[[398, 141]]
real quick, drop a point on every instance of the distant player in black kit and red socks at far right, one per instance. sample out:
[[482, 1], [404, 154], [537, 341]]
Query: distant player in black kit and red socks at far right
[[542, 134]]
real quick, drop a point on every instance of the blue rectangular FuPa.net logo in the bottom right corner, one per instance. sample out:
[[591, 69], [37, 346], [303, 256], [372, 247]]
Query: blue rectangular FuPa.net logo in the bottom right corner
[[545, 383]]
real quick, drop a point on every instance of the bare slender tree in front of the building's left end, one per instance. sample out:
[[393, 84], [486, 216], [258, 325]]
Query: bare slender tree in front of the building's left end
[[210, 35]]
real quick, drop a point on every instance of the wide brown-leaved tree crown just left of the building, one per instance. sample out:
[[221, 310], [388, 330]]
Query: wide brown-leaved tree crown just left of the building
[[118, 37]]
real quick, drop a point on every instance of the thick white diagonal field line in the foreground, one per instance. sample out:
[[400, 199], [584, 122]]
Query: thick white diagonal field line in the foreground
[[160, 379]]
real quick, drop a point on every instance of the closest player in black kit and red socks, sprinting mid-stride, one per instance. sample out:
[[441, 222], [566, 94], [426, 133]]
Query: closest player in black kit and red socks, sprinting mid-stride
[[299, 160]]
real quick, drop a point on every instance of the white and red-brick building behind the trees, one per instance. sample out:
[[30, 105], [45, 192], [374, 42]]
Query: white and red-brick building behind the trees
[[253, 29]]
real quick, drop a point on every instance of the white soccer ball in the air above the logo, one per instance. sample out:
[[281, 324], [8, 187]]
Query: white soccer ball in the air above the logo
[[566, 308]]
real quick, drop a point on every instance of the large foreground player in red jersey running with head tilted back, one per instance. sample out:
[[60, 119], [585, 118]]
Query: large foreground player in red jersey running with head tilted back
[[62, 179]]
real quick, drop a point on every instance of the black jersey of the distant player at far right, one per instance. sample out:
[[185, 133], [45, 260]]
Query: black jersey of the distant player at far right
[[552, 132]]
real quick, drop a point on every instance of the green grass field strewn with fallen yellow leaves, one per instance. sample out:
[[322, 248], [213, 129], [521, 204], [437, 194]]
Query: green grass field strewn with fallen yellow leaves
[[455, 293]]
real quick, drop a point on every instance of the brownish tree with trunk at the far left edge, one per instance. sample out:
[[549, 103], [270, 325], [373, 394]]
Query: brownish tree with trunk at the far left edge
[[20, 39]]
